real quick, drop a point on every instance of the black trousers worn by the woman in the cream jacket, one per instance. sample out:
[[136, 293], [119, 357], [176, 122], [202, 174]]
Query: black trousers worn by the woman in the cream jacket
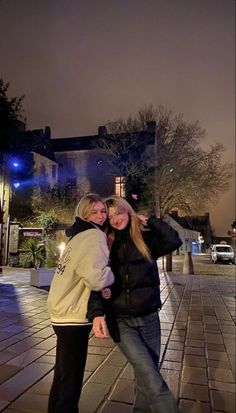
[[71, 354]]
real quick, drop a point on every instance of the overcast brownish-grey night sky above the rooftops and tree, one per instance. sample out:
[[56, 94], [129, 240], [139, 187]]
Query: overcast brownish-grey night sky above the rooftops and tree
[[81, 63]]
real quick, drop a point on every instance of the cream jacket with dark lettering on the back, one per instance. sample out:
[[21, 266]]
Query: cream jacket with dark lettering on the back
[[82, 268]]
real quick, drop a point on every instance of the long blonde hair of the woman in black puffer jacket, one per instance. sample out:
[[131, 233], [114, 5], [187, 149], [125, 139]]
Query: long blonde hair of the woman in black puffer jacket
[[121, 205]]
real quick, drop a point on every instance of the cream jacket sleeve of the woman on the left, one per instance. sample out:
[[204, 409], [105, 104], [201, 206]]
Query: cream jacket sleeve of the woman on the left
[[93, 268]]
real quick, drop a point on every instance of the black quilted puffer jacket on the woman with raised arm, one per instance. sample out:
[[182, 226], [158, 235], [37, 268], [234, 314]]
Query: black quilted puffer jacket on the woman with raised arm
[[136, 291]]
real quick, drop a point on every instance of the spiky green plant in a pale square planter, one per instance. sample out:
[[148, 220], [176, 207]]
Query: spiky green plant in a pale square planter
[[34, 256]]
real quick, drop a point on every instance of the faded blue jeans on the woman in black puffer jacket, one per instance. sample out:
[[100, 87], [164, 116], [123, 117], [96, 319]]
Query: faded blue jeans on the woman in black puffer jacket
[[140, 343]]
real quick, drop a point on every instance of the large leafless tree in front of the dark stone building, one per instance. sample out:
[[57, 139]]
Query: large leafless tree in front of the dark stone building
[[179, 170]]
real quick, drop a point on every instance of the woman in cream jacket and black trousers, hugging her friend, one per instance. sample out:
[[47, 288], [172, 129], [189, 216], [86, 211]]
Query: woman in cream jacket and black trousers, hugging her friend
[[82, 268]]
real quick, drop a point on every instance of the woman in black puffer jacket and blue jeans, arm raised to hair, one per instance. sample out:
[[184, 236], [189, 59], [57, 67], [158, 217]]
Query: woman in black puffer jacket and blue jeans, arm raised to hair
[[131, 313]]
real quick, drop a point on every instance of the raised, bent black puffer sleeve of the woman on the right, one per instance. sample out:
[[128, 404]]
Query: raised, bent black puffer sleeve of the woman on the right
[[165, 238]]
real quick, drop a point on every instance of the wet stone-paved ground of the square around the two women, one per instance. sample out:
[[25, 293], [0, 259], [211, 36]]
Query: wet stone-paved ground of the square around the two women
[[198, 346]]
